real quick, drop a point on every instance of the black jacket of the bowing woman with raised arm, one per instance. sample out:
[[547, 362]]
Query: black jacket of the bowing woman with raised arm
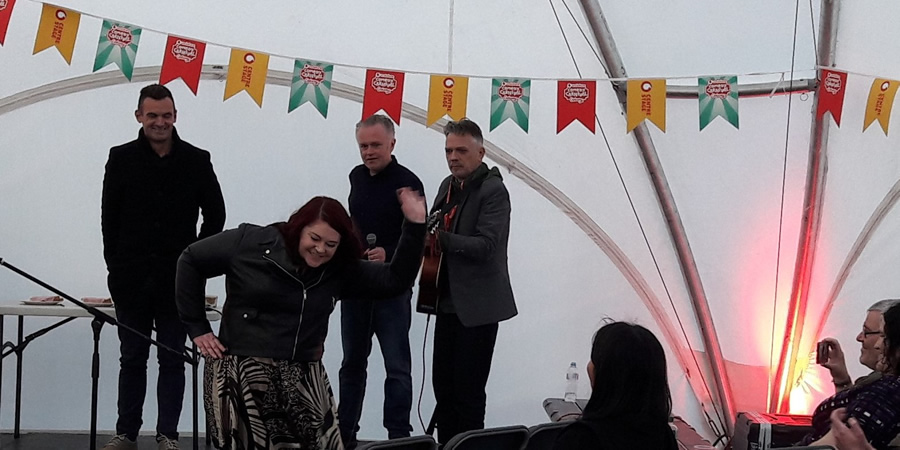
[[271, 310]]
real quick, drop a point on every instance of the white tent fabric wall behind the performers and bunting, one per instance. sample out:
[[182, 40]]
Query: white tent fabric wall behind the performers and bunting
[[727, 182]]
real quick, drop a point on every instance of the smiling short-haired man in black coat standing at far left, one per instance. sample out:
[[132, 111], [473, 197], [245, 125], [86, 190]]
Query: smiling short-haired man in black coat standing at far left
[[153, 190]]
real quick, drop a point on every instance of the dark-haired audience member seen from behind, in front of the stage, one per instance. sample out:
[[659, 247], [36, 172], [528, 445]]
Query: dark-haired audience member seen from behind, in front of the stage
[[630, 404]]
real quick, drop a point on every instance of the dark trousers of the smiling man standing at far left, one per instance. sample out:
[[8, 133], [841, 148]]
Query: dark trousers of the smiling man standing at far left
[[142, 305]]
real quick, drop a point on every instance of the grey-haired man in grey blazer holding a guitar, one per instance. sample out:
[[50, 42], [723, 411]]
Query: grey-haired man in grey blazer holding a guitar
[[473, 283]]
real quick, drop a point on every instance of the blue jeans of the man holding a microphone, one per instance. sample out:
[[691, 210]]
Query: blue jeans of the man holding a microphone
[[389, 321]]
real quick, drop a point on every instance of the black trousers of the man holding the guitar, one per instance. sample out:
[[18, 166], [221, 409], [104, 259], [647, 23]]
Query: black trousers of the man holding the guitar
[[462, 363]]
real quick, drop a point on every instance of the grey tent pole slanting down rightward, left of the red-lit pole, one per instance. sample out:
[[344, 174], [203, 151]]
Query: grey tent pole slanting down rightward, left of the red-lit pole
[[615, 67]]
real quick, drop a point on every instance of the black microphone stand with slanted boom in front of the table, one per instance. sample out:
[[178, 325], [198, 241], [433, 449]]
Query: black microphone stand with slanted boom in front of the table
[[99, 319]]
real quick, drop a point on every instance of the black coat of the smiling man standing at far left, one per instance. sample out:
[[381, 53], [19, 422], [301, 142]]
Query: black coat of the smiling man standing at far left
[[150, 204]]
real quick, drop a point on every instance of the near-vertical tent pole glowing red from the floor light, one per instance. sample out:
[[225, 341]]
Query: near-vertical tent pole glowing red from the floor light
[[810, 225]]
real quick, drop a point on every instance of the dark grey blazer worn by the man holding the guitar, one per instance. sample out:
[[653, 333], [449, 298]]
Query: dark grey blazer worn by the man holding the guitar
[[474, 252]]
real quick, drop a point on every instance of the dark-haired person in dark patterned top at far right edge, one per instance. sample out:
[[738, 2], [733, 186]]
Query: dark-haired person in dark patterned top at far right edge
[[875, 407]]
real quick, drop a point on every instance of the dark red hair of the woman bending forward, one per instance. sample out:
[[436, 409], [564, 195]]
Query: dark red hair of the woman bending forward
[[331, 212]]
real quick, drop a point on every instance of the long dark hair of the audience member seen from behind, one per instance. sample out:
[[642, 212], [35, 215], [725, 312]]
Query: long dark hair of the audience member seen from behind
[[630, 378]]
